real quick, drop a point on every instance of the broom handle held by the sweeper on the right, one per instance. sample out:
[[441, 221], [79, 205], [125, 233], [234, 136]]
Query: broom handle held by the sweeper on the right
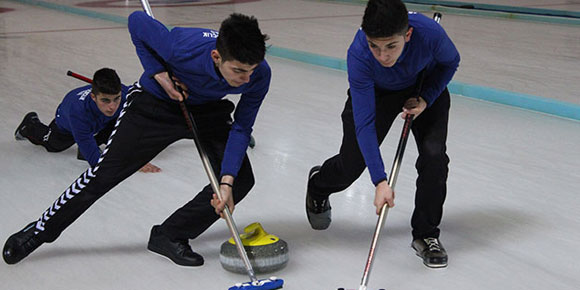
[[392, 179]]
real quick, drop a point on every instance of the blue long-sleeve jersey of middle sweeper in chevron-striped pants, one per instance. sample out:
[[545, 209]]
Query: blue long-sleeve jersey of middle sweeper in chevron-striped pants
[[186, 53]]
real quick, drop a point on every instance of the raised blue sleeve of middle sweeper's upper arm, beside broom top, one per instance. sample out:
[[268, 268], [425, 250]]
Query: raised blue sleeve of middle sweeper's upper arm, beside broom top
[[152, 42]]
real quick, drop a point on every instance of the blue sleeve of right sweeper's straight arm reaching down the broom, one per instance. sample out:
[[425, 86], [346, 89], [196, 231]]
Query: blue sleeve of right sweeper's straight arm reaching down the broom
[[364, 113]]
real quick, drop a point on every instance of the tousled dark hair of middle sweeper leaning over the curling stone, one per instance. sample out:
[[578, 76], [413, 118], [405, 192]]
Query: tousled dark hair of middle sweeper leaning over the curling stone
[[240, 39]]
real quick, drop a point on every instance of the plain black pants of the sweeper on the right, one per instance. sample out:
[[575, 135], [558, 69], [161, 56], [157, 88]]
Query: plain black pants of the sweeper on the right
[[430, 132]]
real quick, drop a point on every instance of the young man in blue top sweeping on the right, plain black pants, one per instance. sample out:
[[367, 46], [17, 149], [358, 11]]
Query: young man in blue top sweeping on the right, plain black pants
[[385, 62]]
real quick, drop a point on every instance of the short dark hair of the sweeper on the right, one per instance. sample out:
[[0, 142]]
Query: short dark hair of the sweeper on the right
[[385, 18]]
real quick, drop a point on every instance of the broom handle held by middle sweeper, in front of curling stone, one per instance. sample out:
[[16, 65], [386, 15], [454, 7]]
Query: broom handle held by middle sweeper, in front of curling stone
[[210, 173]]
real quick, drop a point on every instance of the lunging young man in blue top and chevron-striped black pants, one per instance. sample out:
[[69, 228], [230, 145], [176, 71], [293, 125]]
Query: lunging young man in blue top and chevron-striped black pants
[[206, 67]]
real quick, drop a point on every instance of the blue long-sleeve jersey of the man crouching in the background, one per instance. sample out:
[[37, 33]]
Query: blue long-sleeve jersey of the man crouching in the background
[[79, 116]]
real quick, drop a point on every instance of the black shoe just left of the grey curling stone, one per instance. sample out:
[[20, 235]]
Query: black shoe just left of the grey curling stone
[[177, 251]]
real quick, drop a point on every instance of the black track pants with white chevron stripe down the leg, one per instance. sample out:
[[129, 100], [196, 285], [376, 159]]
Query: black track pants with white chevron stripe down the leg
[[146, 126]]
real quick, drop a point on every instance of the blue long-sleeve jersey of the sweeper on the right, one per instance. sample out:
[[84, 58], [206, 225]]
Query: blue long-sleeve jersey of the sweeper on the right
[[429, 48]]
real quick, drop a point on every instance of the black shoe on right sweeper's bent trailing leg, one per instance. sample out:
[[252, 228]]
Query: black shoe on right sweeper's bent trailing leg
[[318, 211]]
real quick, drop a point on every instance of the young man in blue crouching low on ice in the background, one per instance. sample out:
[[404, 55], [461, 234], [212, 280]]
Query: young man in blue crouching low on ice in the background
[[86, 116]]
